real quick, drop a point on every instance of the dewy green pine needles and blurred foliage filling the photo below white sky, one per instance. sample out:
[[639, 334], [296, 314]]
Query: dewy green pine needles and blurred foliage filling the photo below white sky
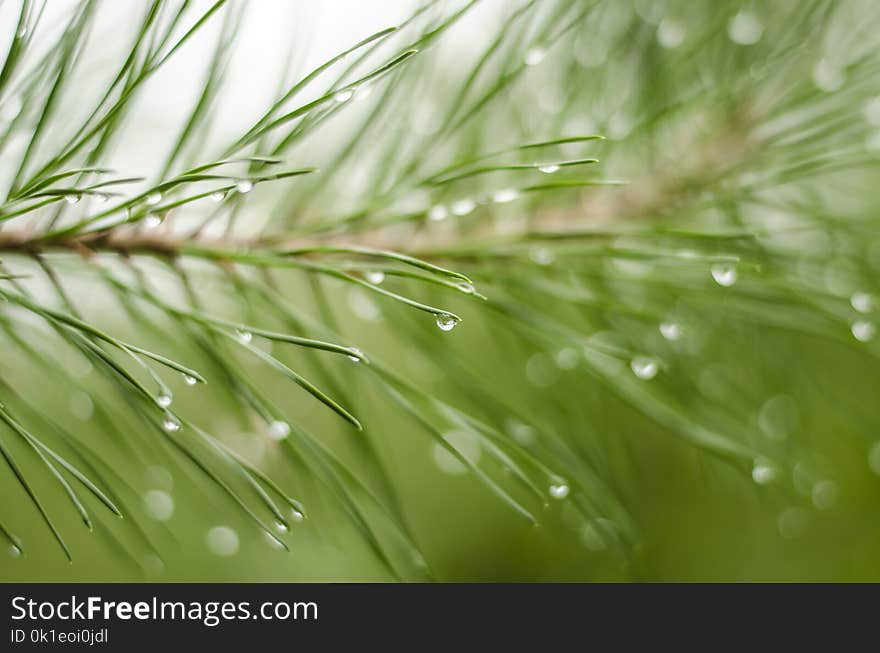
[[646, 231]]
